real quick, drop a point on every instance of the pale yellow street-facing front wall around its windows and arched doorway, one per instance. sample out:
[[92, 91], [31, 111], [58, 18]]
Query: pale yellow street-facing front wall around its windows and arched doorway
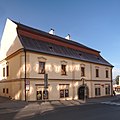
[[52, 61]]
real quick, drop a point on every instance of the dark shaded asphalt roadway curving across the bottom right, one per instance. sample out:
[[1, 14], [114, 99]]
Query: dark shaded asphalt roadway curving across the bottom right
[[85, 112]]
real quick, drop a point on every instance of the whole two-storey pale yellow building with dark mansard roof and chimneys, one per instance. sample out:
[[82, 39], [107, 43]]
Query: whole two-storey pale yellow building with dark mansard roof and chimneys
[[74, 71]]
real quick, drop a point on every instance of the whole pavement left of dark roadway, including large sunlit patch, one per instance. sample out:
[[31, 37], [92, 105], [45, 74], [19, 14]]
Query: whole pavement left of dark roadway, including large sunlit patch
[[23, 109]]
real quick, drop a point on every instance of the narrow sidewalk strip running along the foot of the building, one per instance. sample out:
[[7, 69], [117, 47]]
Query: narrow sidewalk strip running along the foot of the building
[[7, 103]]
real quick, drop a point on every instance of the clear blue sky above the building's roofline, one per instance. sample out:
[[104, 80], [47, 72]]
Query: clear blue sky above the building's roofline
[[94, 23]]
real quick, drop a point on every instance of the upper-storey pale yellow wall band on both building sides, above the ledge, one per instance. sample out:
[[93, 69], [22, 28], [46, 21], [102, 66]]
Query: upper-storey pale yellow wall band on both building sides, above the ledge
[[53, 68]]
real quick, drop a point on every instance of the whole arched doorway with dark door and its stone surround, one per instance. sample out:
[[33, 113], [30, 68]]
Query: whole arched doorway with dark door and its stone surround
[[83, 92]]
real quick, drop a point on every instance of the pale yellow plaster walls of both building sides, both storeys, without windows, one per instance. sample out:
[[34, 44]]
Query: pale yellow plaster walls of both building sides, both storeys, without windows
[[73, 78]]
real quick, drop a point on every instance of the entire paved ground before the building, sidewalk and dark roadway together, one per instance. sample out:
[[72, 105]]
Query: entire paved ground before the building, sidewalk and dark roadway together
[[60, 110]]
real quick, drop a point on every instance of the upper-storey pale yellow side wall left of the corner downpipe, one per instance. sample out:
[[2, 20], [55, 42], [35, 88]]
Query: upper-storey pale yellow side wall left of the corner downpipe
[[16, 67]]
